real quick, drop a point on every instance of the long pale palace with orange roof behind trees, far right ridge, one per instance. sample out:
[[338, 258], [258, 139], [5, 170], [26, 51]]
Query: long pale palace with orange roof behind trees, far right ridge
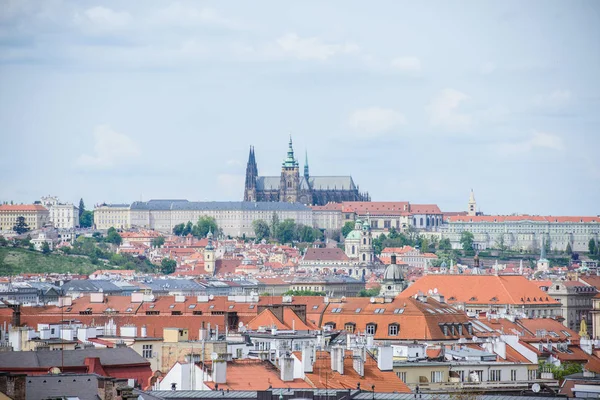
[[523, 232]]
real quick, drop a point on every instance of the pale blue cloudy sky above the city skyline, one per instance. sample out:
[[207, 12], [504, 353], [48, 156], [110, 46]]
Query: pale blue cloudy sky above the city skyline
[[118, 101]]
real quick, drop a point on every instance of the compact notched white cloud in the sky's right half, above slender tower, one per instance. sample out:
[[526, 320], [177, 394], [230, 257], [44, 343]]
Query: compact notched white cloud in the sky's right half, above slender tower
[[444, 112]]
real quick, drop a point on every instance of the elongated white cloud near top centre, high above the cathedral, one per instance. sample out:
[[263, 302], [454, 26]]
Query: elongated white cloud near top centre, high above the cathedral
[[313, 48]]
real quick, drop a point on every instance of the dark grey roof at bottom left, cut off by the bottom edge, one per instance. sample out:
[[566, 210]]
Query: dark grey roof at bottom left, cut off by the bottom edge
[[82, 386]]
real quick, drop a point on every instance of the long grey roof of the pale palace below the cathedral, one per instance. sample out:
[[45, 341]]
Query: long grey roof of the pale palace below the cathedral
[[217, 205]]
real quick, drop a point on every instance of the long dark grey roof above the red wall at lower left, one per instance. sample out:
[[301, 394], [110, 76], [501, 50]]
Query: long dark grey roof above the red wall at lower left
[[49, 359]]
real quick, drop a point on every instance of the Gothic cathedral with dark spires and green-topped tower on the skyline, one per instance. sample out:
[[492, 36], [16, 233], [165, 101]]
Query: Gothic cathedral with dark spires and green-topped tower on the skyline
[[290, 187]]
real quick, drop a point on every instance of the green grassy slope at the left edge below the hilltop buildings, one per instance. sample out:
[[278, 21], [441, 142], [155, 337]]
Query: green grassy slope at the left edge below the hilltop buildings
[[14, 261]]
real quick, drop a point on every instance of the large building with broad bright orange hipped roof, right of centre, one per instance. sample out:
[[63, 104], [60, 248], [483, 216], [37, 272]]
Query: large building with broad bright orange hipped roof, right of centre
[[495, 293]]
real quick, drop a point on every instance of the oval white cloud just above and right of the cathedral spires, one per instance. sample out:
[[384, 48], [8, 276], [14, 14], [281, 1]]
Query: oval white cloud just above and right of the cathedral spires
[[375, 120]]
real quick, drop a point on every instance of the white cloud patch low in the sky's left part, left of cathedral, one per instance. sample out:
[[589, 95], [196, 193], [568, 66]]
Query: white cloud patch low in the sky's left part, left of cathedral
[[110, 149]]
